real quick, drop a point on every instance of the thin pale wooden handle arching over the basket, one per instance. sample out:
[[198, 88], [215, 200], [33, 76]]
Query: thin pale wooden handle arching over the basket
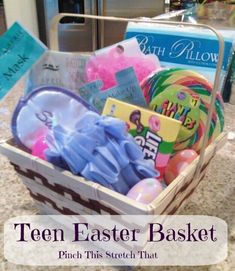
[[53, 38]]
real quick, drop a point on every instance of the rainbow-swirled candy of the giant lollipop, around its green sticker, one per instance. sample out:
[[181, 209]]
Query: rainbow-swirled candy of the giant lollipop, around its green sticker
[[159, 85]]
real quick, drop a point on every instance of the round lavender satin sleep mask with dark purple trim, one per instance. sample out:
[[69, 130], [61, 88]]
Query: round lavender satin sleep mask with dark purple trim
[[44, 108]]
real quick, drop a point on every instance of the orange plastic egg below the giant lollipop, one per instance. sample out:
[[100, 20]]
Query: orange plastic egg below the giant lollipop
[[178, 163]]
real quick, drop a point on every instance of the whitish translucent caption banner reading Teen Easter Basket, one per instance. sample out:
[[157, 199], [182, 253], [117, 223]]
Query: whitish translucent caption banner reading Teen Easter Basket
[[114, 240]]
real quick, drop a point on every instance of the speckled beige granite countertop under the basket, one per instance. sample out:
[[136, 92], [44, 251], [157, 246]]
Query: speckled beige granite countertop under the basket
[[214, 196]]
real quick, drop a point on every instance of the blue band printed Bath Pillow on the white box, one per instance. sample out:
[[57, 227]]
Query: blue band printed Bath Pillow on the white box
[[186, 50]]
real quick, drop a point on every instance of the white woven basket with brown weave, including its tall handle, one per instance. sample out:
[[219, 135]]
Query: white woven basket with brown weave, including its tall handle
[[57, 191]]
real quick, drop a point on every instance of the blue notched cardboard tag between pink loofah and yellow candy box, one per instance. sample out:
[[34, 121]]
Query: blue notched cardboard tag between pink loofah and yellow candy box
[[127, 90]]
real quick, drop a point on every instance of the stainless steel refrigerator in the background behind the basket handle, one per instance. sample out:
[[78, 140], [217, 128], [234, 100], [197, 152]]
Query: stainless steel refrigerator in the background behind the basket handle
[[86, 34]]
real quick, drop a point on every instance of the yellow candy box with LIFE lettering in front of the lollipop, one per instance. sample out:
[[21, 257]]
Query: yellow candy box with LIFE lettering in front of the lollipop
[[155, 133]]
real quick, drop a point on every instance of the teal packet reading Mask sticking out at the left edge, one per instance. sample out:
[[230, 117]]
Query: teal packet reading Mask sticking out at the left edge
[[19, 50]]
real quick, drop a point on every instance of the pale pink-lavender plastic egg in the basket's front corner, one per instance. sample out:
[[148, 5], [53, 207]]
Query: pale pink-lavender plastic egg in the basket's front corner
[[146, 190]]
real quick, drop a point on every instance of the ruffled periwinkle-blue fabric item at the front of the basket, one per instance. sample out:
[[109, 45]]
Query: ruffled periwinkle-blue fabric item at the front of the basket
[[101, 151]]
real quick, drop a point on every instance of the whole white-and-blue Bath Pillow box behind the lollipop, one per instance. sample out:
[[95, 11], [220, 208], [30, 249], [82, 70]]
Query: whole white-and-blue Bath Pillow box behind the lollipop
[[184, 47]]
